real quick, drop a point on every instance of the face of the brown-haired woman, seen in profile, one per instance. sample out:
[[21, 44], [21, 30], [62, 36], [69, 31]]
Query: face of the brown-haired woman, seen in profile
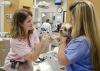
[[28, 24]]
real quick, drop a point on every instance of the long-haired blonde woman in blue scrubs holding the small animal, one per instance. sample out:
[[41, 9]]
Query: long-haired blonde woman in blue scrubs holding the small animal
[[80, 54]]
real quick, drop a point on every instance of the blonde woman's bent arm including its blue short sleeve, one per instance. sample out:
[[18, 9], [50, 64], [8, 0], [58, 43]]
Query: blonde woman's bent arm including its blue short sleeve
[[75, 51]]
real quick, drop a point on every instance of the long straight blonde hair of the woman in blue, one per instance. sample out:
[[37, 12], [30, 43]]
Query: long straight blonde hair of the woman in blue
[[85, 24]]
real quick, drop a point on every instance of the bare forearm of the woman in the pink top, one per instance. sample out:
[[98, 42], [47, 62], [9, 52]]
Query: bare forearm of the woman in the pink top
[[38, 49]]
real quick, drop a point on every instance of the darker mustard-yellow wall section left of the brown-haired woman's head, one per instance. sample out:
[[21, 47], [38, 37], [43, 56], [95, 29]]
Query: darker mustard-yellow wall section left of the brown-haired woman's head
[[7, 11]]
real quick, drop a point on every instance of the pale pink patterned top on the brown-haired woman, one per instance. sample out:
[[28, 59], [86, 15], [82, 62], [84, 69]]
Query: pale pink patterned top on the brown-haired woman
[[19, 48]]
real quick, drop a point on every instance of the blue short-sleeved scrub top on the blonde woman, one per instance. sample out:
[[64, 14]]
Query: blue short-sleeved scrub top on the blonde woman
[[78, 53]]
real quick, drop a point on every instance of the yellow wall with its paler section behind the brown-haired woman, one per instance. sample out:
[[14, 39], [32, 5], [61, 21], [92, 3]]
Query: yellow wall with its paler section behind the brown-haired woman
[[16, 4]]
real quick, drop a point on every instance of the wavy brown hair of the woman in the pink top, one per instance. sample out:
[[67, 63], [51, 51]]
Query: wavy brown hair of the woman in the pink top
[[18, 19]]
